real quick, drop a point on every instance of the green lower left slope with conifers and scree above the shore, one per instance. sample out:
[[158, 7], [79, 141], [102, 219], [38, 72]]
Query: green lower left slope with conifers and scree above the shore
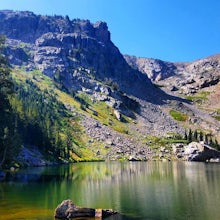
[[64, 127]]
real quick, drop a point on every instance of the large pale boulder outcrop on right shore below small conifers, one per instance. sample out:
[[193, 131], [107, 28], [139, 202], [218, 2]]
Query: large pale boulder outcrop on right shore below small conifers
[[196, 152]]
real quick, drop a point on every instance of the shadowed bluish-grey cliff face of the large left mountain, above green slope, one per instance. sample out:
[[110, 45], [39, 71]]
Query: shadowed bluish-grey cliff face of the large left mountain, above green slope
[[60, 47]]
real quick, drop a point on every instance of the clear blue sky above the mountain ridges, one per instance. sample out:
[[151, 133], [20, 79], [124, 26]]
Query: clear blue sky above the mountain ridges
[[171, 30]]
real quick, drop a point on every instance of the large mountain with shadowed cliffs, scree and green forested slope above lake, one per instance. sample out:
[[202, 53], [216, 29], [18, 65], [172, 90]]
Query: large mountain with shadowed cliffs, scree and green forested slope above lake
[[78, 98]]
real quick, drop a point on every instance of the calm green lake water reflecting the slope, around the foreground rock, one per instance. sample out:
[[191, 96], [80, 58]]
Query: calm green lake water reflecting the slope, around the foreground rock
[[137, 190]]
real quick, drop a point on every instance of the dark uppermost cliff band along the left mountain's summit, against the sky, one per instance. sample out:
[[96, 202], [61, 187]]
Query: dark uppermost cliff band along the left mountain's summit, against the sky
[[27, 27]]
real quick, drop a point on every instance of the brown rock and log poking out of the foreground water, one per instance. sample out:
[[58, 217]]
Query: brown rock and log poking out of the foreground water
[[68, 210]]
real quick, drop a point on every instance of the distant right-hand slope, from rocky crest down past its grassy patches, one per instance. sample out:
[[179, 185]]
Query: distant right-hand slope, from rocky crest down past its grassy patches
[[196, 81]]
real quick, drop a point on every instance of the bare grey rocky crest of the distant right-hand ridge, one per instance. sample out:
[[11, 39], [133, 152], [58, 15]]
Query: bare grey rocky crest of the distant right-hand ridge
[[187, 78]]
